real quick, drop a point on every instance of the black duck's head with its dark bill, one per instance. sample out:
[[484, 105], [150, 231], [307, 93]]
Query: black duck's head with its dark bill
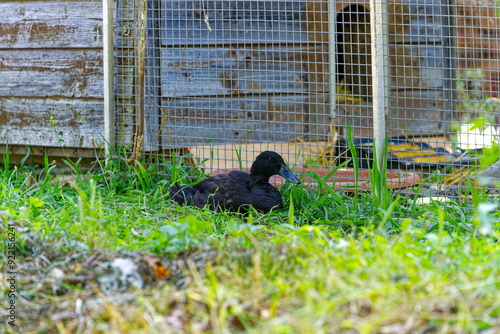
[[270, 163]]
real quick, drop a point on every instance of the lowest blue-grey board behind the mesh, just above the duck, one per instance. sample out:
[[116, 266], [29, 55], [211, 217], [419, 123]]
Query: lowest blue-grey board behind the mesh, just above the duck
[[196, 121]]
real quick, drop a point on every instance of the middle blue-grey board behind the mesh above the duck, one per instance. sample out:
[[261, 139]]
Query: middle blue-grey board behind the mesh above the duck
[[243, 70]]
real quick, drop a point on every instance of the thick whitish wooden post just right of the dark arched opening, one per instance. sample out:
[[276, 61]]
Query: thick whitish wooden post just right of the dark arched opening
[[380, 74]]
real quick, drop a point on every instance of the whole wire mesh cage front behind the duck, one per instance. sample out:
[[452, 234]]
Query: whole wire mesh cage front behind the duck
[[218, 82]]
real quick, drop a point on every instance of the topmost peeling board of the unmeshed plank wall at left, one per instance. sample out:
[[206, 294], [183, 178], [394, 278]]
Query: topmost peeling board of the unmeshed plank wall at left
[[51, 24]]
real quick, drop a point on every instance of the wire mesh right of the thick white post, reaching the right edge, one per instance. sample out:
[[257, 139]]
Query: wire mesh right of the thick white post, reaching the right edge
[[437, 121]]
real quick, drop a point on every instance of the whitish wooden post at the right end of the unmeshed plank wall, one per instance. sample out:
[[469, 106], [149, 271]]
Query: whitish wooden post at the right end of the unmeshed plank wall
[[109, 87]]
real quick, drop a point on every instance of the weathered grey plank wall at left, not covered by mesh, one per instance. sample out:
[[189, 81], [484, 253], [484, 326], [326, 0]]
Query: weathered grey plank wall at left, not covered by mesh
[[51, 66]]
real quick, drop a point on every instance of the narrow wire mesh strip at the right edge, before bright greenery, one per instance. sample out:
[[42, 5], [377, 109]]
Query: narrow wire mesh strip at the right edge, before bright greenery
[[473, 131]]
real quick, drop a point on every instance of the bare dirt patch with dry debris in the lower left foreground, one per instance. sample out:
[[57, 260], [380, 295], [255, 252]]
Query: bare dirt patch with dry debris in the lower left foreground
[[63, 281]]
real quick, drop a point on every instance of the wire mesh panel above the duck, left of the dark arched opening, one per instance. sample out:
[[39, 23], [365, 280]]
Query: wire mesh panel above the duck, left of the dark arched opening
[[242, 76]]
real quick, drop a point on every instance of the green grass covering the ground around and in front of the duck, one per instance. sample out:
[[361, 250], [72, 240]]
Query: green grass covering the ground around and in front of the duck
[[326, 263]]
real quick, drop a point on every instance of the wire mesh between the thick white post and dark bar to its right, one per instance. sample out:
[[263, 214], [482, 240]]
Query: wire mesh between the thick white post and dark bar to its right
[[421, 92]]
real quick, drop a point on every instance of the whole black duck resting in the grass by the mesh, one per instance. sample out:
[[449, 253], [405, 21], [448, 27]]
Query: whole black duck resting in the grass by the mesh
[[237, 191]]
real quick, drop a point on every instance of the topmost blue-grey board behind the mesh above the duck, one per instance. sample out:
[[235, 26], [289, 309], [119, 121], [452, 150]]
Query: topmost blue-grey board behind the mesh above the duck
[[233, 22]]
